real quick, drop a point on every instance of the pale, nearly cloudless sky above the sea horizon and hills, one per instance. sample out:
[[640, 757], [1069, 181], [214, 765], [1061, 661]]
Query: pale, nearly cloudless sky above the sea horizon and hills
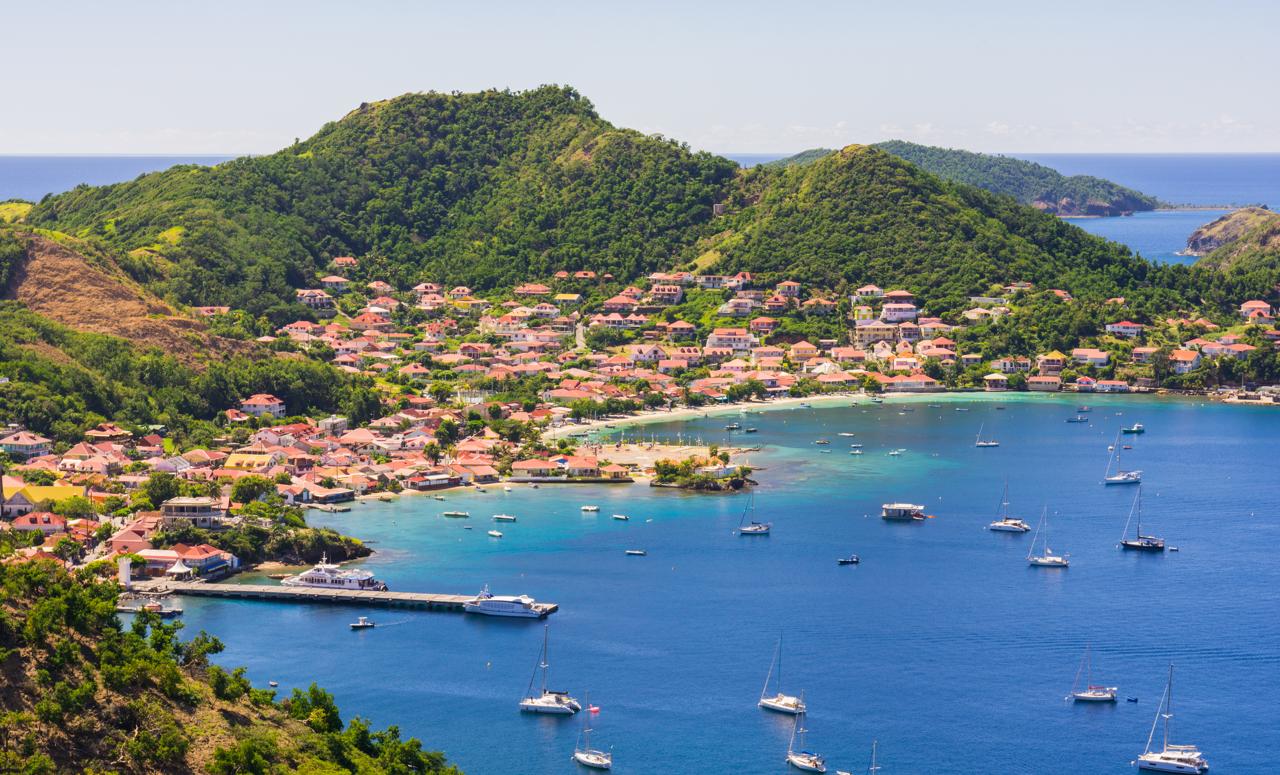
[[248, 77]]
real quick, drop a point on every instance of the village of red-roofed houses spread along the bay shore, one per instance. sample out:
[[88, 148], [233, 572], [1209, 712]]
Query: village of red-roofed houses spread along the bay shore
[[470, 381]]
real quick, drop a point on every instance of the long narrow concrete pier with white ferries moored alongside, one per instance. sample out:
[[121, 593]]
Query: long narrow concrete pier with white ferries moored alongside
[[427, 601]]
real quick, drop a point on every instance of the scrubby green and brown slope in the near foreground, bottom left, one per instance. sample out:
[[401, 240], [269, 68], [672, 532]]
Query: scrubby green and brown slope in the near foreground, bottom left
[[84, 695]]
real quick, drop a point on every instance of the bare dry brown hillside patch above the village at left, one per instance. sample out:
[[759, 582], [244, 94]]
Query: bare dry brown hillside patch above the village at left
[[94, 295]]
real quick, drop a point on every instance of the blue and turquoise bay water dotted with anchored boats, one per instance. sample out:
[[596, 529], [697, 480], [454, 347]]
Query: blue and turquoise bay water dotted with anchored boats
[[944, 645]]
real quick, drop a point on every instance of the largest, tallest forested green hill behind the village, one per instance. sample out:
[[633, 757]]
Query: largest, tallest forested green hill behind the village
[[477, 189]]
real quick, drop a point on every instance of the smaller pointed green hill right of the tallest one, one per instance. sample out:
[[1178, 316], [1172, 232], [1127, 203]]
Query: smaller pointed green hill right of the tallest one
[[865, 216]]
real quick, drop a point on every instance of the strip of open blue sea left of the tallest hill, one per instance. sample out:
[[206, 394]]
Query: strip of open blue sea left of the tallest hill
[[33, 177]]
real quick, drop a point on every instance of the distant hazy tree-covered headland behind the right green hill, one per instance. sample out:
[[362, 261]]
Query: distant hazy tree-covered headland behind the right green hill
[[1026, 181]]
